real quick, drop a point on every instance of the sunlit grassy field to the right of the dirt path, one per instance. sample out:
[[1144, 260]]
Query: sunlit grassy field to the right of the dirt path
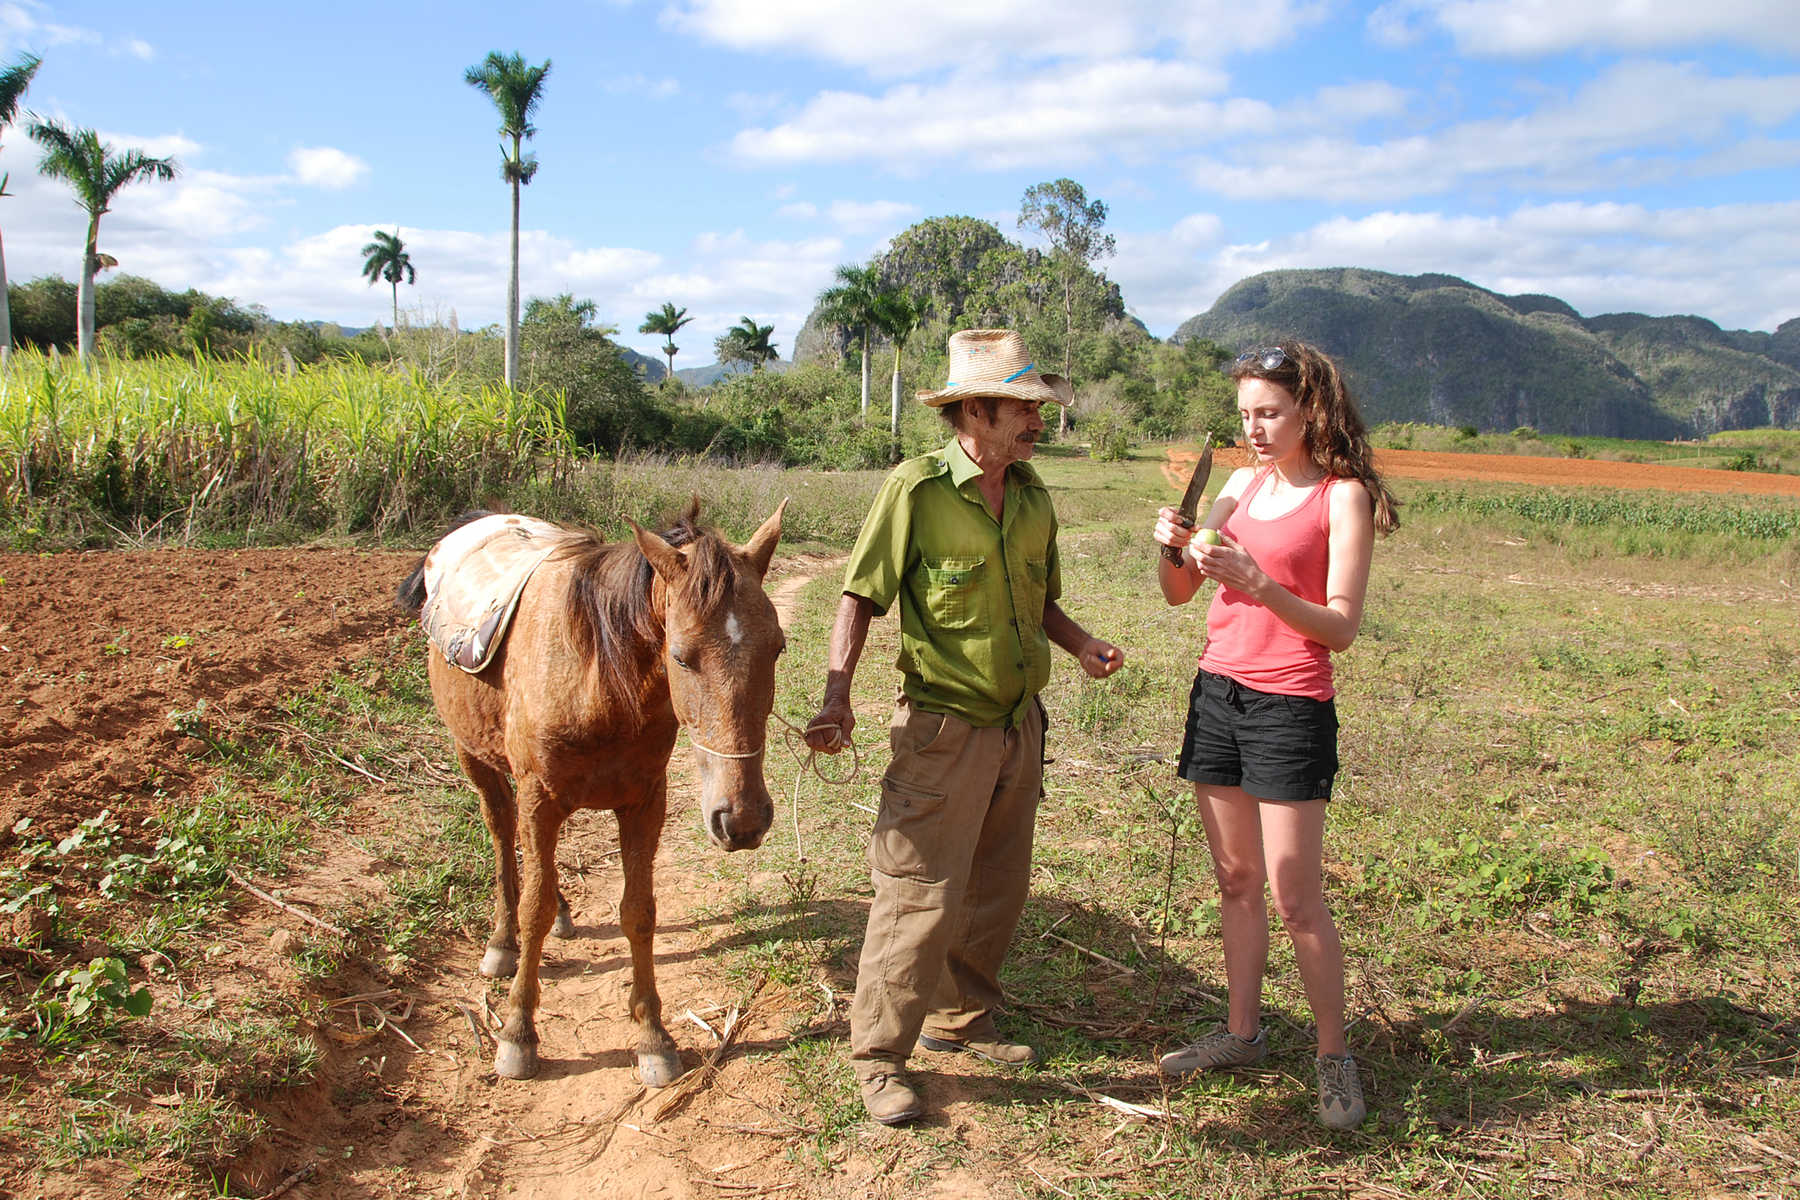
[[1563, 857]]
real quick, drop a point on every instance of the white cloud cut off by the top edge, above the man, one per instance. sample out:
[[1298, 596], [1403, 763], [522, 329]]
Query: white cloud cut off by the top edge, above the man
[[931, 35]]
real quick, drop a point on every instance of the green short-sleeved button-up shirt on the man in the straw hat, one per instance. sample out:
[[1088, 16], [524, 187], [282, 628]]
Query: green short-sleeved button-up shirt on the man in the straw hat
[[971, 589]]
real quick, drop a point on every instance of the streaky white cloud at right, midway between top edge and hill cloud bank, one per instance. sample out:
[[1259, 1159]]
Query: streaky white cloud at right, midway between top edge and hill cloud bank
[[1635, 123]]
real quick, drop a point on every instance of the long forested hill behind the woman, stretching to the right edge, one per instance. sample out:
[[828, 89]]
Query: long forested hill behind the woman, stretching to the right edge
[[1441, 350]]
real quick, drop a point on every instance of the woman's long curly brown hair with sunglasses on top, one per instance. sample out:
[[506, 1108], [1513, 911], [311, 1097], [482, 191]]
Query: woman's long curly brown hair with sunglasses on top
[[1335, 434]]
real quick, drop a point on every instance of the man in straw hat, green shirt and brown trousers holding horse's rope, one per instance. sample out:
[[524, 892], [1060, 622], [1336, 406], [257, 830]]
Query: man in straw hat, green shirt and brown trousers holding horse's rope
[[966, 541]]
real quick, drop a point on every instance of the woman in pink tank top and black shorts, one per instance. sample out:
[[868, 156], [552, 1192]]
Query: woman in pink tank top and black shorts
[[1291, 560]]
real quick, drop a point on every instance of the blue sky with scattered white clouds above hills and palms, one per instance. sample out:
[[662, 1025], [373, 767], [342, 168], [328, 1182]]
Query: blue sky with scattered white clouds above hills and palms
[[730, 154]]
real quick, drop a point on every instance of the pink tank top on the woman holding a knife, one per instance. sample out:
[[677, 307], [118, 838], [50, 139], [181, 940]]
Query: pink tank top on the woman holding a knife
[[1246, 641]]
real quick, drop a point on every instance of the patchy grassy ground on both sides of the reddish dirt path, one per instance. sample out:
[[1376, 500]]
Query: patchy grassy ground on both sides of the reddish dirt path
[[1563, 857]]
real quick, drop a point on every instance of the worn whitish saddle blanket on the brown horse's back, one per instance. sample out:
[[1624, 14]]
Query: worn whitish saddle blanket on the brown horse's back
[[474, 578]]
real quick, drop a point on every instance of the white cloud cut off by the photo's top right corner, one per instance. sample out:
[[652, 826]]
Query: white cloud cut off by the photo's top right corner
[[1538, 28]]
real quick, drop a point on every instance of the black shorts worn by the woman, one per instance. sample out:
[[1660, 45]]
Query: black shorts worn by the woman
[[1275, 748]]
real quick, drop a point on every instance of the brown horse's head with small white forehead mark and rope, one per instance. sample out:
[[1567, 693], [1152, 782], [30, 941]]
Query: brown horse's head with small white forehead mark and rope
[[721, 656]]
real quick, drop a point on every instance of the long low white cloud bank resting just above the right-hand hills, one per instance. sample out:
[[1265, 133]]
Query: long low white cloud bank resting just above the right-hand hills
[[1736, 265]]
